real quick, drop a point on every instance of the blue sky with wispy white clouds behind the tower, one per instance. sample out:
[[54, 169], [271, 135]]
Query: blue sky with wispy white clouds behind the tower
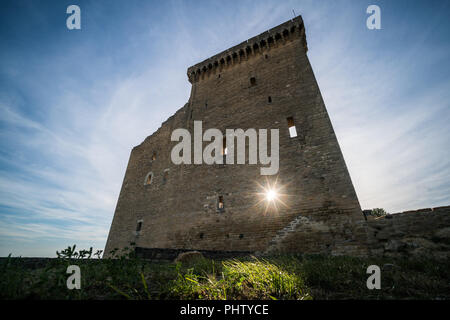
[[74, 102]]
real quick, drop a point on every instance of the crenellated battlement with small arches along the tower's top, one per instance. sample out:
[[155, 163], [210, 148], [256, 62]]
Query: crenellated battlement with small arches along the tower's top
[[288, 31]]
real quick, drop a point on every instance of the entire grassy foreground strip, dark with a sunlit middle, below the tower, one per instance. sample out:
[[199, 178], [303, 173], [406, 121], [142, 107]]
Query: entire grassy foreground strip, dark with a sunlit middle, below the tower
[[281, 277]]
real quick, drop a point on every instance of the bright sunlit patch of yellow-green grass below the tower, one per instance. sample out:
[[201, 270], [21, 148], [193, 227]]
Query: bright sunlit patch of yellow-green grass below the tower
[[236, 279]]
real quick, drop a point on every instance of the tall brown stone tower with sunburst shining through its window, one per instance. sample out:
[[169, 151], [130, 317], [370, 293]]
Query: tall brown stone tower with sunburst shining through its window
[[265, 82]]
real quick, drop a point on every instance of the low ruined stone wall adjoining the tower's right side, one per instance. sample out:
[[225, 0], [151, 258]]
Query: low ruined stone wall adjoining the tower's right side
[[424, 232]]
